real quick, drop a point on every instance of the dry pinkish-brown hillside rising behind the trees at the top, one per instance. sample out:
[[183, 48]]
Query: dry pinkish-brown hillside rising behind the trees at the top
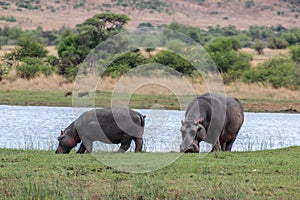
[[55, 14]]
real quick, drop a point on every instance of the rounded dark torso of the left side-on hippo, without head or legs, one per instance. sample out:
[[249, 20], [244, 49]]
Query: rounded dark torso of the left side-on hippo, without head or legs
[[108, 125]]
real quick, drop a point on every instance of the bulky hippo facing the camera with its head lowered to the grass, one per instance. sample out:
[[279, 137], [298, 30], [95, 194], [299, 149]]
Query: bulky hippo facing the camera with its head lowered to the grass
[[213, 118]]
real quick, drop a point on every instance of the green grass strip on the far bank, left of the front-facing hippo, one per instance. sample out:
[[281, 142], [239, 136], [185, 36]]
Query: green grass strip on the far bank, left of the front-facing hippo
[[103, 99]]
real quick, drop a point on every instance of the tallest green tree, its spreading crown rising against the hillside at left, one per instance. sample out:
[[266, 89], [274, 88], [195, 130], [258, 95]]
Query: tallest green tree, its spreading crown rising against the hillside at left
[[76, 45]]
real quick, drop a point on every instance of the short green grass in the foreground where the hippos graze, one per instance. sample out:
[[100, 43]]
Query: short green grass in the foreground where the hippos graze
[[273, 174]]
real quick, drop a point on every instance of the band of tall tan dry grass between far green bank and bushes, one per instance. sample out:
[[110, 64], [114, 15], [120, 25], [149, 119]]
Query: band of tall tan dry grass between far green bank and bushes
[[152, 86]]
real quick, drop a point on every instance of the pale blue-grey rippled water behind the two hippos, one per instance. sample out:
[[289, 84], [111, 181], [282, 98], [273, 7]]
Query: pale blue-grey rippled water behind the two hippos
[[32, 127]]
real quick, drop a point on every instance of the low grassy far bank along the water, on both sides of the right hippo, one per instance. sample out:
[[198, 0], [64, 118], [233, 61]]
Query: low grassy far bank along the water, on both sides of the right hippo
[[103, 99]]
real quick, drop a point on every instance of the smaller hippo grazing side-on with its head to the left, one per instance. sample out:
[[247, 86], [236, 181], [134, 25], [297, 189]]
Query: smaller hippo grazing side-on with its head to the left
[[108, 125]]
